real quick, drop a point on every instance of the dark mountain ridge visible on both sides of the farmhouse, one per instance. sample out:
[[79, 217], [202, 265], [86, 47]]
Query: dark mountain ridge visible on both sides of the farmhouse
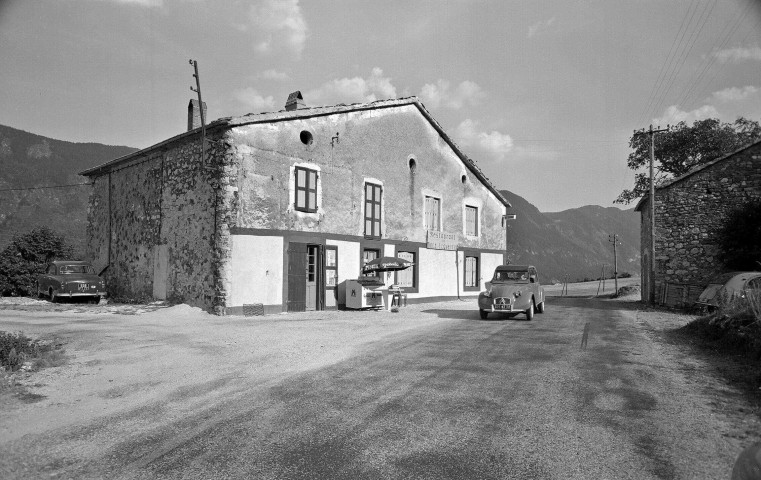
[[40, 185]]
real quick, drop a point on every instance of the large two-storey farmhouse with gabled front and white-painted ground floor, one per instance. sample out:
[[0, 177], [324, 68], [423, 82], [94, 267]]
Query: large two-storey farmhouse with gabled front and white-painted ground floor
[[284, 207]]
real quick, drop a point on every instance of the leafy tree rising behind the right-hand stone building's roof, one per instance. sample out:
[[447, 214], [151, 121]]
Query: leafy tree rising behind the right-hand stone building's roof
[[685, 147]]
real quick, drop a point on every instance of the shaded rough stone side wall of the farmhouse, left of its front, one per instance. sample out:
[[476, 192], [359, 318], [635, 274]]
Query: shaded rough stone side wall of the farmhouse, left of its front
[[165, 198]]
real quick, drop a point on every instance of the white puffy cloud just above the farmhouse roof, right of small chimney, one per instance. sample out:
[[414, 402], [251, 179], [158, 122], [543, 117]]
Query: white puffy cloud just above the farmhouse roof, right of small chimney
[[352, 90]]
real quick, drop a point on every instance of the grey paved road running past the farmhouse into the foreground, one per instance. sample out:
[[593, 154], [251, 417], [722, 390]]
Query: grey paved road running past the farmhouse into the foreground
[[462, 398]]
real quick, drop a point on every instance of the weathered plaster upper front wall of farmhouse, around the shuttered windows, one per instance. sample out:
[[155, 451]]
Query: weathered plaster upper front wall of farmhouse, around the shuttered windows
[[349, 148]]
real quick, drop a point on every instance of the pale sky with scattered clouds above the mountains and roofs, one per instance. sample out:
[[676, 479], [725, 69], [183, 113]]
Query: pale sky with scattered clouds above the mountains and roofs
[[542, 94]]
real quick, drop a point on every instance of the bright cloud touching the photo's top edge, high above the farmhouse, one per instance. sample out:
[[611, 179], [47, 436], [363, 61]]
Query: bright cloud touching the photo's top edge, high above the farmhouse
[[278, 24]]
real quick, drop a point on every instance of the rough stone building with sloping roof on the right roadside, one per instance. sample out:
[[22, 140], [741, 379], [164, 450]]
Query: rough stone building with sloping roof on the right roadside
[[689, 211]]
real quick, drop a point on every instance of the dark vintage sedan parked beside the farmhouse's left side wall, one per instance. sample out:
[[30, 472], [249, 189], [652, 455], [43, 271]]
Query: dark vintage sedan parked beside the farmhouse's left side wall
[[70, 279]]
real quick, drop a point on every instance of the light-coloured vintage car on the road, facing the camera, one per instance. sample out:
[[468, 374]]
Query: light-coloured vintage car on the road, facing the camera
[[514, 289]]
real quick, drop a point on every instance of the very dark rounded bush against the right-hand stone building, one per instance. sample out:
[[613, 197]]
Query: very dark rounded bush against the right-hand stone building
[[740, 238]]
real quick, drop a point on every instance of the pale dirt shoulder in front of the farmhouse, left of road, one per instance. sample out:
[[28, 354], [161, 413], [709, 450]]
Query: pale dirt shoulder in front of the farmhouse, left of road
[[124, 360]]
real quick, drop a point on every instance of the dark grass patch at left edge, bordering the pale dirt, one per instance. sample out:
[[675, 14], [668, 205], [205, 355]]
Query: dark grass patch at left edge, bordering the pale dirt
[[20, 354]]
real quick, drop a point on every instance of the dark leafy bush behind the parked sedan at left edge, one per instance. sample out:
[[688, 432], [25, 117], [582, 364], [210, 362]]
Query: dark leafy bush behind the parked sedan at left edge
[[26, 257]]
